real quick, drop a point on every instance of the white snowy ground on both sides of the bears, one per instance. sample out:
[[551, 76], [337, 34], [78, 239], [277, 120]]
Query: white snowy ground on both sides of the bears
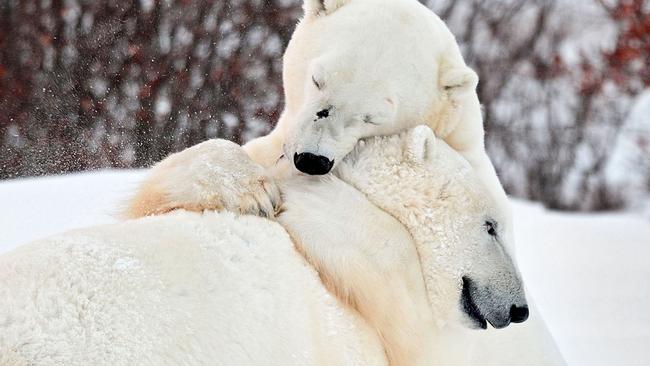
[[589, 274]]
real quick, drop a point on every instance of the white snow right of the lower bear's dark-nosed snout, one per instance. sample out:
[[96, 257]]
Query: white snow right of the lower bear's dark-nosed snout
[[589, 276]]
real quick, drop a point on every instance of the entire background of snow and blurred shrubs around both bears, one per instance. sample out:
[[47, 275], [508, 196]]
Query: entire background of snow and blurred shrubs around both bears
[[117, 85]]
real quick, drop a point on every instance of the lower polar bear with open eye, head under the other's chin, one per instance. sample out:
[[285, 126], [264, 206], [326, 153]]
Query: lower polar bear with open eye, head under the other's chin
[[188, 288]]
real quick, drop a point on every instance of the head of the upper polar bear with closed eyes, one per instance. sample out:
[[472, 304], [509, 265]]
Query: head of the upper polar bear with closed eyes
[[362, 68]]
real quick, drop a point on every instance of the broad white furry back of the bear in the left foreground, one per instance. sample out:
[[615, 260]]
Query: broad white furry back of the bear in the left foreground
[[178, 289]]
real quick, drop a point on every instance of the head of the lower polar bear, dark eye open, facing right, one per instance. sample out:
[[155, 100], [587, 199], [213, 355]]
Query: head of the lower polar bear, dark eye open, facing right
[[434, 193]]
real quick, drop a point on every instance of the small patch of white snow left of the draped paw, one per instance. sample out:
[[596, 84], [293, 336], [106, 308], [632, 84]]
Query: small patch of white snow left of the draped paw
[[33, 208]]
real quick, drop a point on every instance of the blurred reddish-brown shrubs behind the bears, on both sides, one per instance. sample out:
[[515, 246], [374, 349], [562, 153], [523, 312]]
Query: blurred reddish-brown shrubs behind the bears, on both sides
[[96, 84]]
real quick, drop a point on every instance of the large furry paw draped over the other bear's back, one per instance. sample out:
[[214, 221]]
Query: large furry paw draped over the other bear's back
[[214, 175]]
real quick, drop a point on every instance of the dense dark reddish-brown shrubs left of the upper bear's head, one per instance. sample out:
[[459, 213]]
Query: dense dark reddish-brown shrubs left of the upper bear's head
[[124, 83]]
